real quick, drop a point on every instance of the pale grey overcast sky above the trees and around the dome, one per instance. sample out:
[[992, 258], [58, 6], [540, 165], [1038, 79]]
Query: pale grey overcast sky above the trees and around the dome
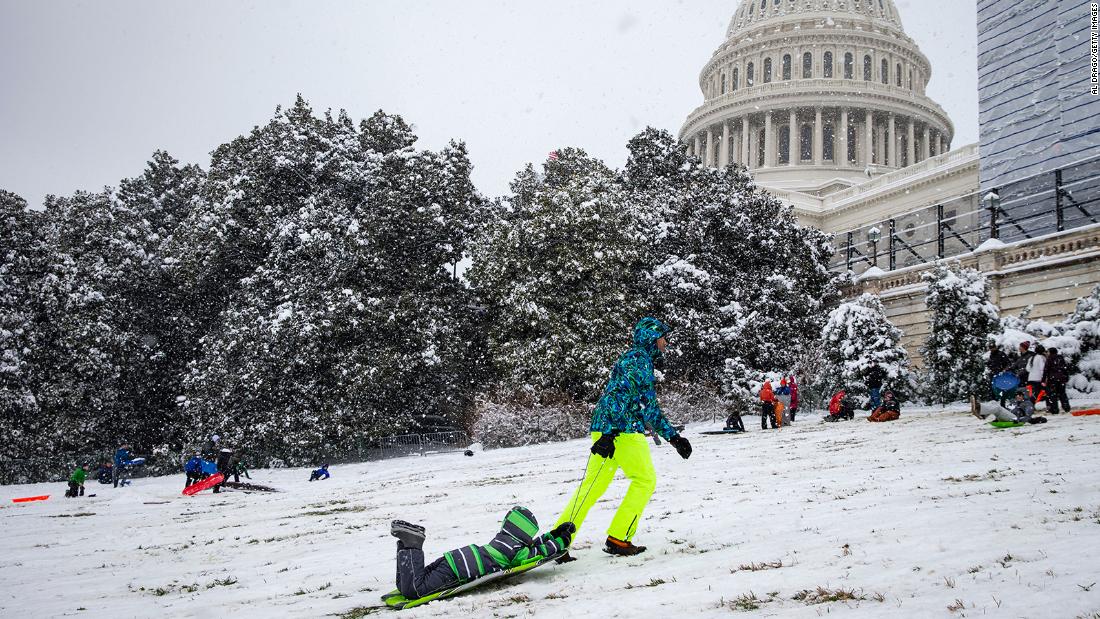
[[91, 90]]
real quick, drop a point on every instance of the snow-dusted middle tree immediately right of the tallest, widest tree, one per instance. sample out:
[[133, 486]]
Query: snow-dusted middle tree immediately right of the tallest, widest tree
[[557, 269]]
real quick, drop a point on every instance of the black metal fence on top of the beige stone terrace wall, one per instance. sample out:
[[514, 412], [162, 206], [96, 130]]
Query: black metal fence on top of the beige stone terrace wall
[[1041, 205]]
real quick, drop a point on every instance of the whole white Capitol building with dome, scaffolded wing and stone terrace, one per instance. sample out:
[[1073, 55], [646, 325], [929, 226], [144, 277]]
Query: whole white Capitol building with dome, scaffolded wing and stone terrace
[[826, 103]]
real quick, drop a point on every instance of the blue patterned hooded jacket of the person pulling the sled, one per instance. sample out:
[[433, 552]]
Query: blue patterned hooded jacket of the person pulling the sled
[[630, 401]]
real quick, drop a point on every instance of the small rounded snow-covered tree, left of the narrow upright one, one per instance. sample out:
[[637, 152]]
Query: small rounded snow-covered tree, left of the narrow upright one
[[859, 338]]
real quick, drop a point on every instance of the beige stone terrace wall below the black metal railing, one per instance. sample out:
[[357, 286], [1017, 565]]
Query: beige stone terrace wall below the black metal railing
[[1049, 273]]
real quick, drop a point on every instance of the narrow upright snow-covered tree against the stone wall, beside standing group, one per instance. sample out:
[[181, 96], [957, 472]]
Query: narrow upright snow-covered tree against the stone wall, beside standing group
[[964, 323]]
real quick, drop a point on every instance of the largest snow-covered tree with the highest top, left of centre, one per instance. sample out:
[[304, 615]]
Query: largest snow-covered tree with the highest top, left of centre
[[346, 322]]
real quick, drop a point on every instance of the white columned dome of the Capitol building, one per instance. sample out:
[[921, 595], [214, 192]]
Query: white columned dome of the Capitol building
[[817, 96]]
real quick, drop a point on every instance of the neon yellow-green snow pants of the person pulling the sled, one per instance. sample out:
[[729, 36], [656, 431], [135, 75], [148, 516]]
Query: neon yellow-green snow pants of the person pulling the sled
[[632, 456]]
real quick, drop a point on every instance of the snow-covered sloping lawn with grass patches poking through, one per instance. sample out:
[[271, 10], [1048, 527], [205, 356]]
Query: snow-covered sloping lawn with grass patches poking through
[[937, 511]]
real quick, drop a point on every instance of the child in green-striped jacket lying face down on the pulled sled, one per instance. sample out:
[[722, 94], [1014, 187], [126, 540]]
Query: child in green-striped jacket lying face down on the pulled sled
[[516, 545]]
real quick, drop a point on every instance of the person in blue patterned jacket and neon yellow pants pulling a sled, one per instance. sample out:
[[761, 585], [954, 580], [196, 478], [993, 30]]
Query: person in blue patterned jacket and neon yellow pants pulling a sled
[[619, 439]]
